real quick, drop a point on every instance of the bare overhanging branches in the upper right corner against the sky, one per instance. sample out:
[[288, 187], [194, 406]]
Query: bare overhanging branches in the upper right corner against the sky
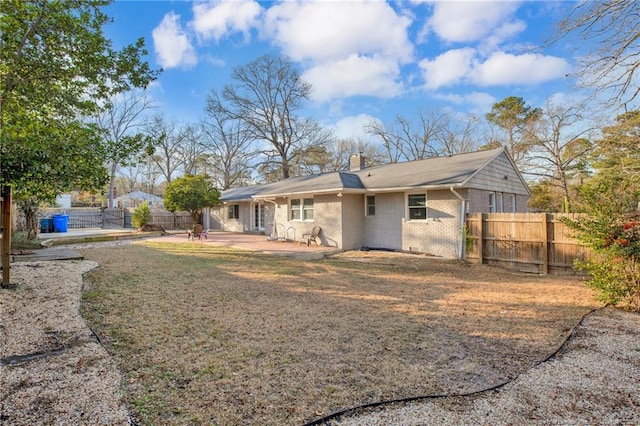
[[612, 28]]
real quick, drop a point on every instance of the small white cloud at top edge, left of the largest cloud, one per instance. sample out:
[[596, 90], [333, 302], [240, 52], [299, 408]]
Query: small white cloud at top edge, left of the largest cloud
[[220, 18]]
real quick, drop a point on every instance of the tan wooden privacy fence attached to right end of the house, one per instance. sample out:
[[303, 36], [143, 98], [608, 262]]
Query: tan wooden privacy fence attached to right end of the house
[[527, 242]]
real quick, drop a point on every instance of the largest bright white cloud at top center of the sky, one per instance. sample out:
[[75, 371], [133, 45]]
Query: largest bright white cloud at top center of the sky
[[323, 31]]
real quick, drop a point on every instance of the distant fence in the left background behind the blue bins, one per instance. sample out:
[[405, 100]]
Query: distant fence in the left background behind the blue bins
[[80, 218]]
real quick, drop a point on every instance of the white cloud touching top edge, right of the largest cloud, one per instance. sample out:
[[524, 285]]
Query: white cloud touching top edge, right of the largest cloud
[[466, 21]]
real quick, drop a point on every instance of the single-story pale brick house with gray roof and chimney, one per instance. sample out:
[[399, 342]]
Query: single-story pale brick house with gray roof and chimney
[[413, 206]]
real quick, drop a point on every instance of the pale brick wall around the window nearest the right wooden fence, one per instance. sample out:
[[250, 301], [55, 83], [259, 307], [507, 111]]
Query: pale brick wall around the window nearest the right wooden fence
[[439, 235]]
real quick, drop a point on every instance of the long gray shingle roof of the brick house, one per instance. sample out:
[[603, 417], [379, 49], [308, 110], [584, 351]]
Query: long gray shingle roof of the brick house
[[432, 172]]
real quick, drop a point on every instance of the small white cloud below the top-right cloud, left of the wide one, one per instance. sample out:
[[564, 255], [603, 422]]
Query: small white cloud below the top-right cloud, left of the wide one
[[447, 69]]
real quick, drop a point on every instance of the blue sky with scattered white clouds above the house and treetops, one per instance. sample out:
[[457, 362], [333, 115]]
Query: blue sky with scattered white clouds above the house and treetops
[[365, 59]]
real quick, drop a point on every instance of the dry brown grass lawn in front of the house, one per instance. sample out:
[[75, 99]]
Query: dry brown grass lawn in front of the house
[[208, 335]]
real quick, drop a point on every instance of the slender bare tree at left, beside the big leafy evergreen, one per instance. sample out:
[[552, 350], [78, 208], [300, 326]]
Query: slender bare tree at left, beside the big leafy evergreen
[[122, 122]]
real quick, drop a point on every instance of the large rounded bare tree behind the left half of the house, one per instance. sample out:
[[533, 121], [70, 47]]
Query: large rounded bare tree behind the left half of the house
[[265, 95]]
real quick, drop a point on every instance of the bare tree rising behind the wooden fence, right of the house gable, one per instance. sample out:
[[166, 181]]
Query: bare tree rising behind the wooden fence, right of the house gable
[[560, 143]]
